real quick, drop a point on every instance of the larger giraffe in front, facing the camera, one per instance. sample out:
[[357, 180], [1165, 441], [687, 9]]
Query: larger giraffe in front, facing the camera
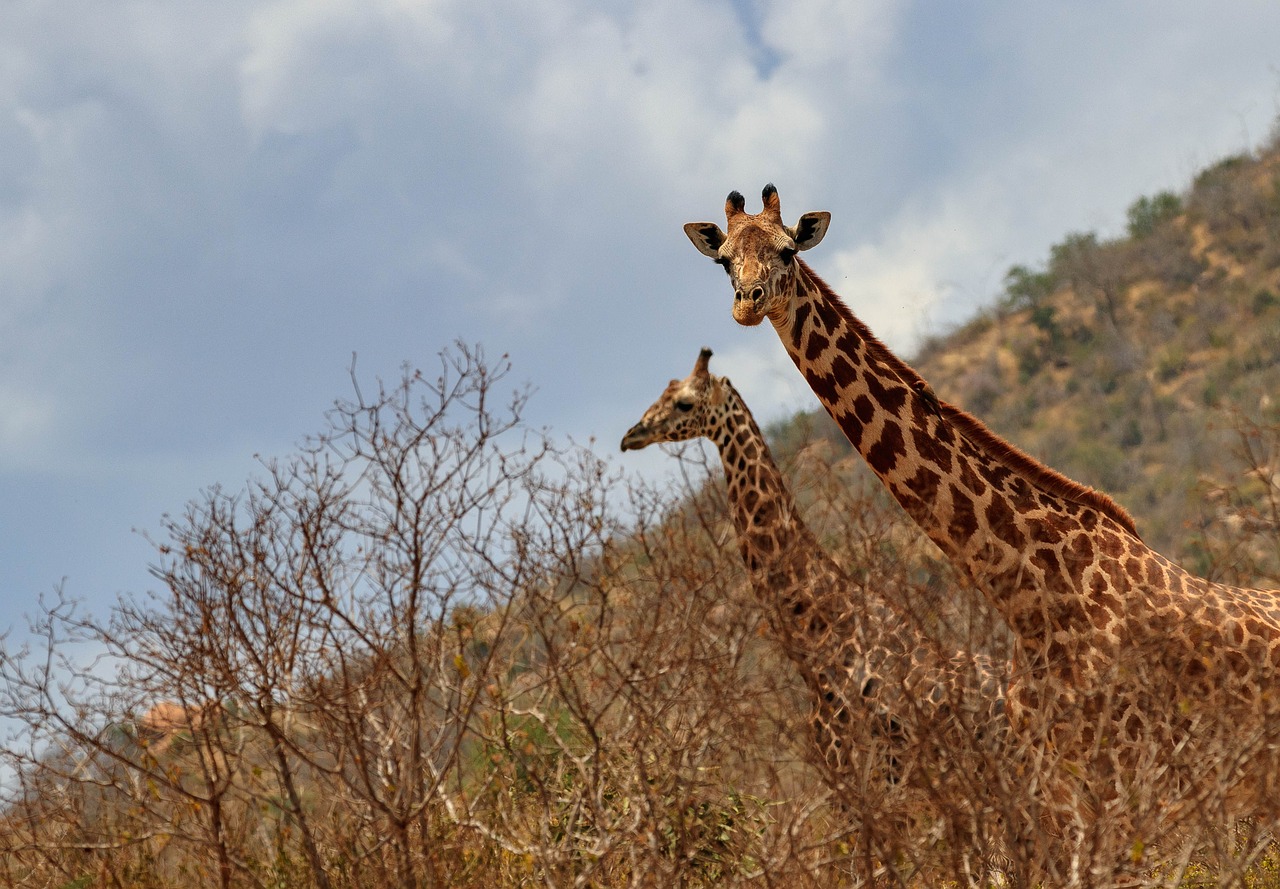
[[1126, 665]]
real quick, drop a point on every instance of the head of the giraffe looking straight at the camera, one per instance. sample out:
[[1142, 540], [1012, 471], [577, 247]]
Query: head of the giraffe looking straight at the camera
[[758, 253]]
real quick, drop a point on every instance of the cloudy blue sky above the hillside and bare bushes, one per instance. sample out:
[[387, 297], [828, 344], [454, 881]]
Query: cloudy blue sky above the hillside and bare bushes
[[208, 209]]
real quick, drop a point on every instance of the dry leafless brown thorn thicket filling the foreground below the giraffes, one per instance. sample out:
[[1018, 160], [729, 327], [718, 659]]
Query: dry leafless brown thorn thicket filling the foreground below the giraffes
[[438, 649]]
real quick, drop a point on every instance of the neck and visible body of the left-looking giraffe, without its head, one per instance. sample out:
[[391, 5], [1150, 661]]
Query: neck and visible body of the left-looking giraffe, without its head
[[845, 641]]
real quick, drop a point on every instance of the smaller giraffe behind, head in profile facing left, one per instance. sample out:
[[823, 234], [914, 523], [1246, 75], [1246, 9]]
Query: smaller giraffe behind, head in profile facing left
[[861, 658]]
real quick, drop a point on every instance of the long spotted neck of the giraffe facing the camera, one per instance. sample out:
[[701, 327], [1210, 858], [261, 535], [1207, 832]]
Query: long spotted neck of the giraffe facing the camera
[[985, 505]]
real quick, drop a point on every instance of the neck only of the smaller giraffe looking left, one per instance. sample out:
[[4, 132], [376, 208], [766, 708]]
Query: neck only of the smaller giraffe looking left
[[789, 569]]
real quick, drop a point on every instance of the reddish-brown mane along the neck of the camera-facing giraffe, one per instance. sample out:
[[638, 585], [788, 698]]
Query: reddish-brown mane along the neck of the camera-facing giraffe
[[1004, 452]]
